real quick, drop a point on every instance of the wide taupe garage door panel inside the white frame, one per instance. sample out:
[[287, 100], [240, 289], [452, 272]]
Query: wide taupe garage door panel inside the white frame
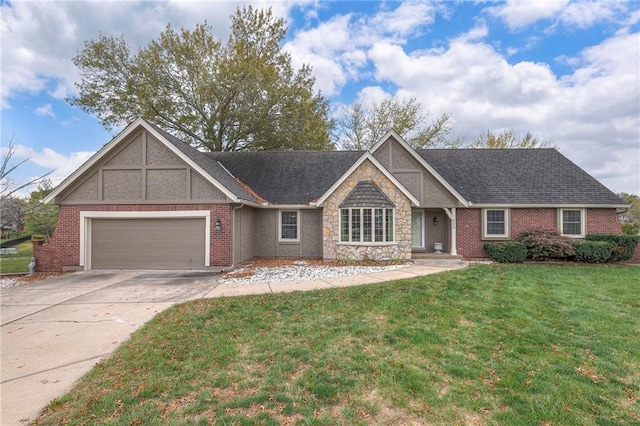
[[148, 243]]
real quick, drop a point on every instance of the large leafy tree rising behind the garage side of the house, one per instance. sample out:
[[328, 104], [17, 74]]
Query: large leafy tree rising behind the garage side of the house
[[240, 95]]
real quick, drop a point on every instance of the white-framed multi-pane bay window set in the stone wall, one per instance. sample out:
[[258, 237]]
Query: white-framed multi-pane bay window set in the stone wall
[[366, 225]]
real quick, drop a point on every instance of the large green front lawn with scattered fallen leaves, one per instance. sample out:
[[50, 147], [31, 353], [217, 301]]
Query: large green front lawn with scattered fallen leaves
[[491, 344]]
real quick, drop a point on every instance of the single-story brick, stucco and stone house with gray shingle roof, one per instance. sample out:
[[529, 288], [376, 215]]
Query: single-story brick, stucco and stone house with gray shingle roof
[[147, 200]]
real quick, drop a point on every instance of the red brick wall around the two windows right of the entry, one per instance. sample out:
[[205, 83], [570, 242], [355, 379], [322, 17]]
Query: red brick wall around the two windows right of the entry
[[469, 226]]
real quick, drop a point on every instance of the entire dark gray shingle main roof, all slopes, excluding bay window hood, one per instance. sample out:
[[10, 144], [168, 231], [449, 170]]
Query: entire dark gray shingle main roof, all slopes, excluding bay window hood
[[482, 176]]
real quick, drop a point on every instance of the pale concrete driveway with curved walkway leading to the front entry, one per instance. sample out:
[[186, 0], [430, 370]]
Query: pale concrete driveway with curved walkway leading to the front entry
[[54, 331]]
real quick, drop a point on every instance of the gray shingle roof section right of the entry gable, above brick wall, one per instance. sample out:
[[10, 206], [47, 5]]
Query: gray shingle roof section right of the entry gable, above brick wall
[[518, 176]]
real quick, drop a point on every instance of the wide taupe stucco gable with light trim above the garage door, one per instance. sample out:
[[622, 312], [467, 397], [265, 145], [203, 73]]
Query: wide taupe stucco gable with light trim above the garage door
[[141, 165]]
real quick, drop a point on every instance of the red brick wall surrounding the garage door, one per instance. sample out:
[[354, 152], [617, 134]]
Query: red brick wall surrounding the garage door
[[63, 251]]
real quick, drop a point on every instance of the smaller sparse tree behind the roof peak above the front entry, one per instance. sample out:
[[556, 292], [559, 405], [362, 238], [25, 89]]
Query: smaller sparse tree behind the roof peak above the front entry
[[360, 126]]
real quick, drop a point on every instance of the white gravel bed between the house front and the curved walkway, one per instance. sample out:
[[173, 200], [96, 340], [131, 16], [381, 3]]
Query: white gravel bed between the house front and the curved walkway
[[302, 273]]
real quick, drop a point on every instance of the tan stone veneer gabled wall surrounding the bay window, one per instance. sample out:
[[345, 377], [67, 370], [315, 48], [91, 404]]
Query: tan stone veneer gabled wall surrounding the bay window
[[334, 250]]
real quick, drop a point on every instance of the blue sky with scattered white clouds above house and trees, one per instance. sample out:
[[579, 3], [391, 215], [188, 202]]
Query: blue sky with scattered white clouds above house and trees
[[566, 71]]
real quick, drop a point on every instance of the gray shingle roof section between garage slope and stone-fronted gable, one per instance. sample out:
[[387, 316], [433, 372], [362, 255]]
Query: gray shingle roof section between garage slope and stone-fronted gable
[[288, 177]]
